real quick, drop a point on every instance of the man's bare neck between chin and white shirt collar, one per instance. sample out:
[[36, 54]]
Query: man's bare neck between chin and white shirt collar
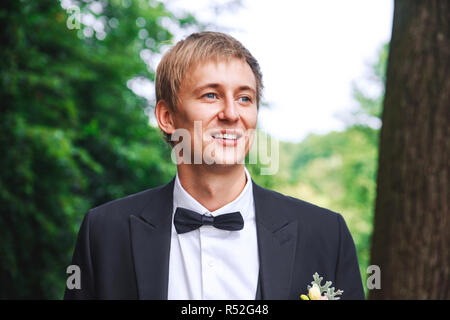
[[213, 187]]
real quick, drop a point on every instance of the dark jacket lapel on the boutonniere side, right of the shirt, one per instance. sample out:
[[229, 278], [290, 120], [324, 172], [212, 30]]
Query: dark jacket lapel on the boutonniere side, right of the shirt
[[277, 240]]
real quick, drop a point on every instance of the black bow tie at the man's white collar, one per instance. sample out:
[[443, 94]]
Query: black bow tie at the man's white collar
[[186, 220]]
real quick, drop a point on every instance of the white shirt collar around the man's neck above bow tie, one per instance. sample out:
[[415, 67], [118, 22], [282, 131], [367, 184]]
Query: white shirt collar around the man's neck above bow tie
[[243, 202]]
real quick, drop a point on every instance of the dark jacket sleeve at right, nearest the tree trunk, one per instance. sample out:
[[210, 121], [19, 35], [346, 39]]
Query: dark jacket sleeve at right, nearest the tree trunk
[[348, 277]]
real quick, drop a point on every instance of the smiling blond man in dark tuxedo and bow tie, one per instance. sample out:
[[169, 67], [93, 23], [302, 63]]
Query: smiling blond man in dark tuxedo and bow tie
[[211, 233]]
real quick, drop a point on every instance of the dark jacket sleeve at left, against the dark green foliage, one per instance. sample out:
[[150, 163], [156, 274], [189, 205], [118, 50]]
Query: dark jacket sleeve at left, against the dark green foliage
[[82, 258]]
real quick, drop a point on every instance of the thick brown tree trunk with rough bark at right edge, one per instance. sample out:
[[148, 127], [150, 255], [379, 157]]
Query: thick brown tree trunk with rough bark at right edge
[[411, 239]]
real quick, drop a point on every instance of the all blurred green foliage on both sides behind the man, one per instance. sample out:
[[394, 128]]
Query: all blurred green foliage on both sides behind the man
[[74, 136]]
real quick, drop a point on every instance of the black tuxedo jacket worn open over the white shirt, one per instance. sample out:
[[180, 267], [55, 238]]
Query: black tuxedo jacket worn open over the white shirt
[[123, 247]]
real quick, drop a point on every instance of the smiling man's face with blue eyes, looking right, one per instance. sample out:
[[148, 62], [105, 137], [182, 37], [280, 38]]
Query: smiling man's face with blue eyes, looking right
[[220, 96]]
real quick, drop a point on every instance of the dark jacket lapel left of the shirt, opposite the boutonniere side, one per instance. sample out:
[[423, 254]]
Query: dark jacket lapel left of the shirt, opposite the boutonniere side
[[150, 239]]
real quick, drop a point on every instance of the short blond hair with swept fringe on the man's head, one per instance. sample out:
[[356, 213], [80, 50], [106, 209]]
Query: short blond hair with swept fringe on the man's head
[[196, 48]]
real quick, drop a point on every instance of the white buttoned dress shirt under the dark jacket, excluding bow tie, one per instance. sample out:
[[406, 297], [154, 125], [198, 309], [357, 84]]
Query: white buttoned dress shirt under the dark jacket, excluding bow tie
[[210, 263]]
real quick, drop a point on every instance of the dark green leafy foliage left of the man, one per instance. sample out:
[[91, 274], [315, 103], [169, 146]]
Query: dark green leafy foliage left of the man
[[73, 136]]
